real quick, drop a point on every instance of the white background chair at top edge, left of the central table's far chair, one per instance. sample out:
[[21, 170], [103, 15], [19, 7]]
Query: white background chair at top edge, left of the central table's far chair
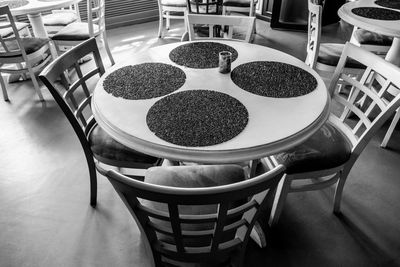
[[170, 9]]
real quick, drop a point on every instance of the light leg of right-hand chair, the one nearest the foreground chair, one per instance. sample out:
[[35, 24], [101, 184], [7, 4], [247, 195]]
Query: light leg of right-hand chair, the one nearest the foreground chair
[[280, 198]]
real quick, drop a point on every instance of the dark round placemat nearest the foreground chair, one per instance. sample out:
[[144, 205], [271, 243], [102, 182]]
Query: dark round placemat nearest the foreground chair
[[197, 118]]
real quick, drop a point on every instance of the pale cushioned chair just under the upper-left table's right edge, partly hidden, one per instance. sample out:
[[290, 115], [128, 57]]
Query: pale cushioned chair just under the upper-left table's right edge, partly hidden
[[60, 18]]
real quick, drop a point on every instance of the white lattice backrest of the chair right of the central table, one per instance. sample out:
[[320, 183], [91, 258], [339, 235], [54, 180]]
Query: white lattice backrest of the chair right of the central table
[[372, 98]]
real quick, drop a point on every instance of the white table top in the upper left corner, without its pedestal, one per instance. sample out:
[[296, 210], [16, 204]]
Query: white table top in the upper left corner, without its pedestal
[[37, 6]]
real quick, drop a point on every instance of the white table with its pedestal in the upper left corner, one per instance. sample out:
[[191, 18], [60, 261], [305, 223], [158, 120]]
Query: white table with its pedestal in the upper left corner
[[34, 8]]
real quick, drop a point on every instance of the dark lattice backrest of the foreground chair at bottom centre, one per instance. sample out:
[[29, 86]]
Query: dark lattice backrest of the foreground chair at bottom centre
[[217, 235]]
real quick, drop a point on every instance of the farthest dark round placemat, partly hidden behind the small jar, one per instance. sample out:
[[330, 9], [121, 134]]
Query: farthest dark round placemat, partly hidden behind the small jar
[[200, 55]]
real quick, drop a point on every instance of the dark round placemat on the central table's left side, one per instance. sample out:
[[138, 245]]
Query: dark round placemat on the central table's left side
[[144, 81]]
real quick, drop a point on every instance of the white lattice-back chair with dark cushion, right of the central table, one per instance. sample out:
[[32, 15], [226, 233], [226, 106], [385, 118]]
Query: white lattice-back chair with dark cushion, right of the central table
[[328, 156]]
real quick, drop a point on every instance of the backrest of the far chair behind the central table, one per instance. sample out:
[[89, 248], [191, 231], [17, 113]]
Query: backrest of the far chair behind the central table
[[242, 23]]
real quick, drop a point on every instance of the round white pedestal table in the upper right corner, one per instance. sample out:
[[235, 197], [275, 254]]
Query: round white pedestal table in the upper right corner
[[385, 27]]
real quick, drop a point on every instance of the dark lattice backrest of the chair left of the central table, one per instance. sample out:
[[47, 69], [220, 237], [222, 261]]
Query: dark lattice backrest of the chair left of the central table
[[76, 100]]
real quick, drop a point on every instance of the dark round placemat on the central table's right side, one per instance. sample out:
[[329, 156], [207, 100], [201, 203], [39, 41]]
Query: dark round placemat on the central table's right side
[[273, 79]]
